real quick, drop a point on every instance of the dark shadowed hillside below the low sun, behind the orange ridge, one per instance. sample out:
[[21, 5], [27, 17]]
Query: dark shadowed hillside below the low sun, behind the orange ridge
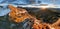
[[47, 15]]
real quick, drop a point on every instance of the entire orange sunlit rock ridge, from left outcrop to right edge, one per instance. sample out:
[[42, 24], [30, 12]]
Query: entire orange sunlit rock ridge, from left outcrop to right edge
[[19, 15]]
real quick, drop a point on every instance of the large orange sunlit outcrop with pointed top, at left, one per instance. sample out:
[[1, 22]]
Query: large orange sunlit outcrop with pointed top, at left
[[18, 14]]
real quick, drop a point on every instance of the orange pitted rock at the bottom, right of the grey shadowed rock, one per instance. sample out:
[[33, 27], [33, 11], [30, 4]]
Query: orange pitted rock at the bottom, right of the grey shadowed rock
[[38, 25]]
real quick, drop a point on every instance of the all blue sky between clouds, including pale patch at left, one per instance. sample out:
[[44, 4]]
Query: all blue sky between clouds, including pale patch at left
[[6, 11]]
